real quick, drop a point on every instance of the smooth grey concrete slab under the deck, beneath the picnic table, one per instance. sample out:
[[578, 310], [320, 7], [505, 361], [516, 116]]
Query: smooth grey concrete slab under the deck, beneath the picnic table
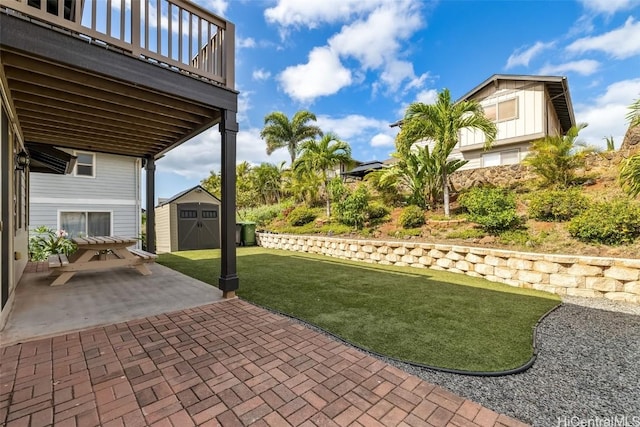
[[98, 298]]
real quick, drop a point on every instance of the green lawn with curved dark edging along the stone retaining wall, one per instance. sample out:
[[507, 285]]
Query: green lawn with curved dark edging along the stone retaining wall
[[420, 315]]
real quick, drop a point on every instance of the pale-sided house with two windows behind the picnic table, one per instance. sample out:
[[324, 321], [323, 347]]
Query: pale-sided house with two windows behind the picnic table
[[100, 197]]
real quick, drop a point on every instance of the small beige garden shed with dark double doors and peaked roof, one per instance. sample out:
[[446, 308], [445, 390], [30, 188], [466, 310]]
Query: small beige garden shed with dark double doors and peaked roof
[[187, 221]]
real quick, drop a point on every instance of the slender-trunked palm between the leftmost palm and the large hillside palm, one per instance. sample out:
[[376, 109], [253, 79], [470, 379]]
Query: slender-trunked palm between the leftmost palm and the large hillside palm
[[322, 156]]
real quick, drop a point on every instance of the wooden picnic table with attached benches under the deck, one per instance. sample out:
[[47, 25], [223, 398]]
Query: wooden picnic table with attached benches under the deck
[[99, 253]]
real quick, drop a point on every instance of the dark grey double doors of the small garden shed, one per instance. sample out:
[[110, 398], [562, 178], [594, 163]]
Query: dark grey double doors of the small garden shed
[[198, 226]]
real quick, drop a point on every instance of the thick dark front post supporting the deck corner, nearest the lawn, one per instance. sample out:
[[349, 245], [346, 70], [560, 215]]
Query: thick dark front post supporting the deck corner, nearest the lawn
[[228, 281]]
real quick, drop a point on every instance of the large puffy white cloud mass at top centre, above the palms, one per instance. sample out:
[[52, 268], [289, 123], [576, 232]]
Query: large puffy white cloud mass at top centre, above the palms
[[374, 40]]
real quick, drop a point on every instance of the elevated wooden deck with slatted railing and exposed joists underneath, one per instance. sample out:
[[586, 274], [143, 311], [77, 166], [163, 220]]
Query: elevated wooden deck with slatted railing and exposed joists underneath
[[109, 77]]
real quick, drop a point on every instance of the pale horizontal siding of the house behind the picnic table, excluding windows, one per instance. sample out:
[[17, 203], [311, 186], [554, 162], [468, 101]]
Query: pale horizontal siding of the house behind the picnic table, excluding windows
[[115, 188]]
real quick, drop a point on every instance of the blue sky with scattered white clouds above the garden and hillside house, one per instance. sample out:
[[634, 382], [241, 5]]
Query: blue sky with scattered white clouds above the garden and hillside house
[[358, 63]]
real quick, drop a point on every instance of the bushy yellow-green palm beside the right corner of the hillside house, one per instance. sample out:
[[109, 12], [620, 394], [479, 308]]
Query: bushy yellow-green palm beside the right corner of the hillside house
[[555, 158]]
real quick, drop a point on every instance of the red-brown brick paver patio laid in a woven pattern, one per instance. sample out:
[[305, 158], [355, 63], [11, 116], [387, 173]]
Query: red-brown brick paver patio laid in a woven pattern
[[228, 363]]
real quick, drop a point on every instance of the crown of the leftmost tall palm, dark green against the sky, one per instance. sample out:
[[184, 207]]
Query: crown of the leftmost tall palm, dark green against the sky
[[279, 132]]
